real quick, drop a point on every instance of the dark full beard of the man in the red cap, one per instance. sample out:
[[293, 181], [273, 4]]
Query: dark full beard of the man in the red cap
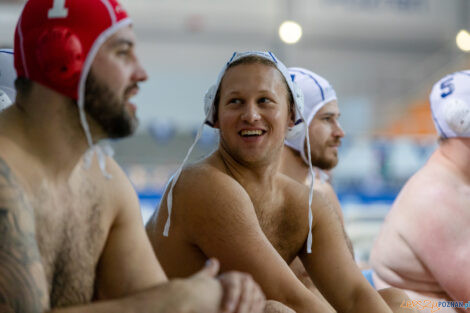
[[108, 110]]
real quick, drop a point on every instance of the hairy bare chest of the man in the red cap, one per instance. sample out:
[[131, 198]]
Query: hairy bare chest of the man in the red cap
[[71, 234]]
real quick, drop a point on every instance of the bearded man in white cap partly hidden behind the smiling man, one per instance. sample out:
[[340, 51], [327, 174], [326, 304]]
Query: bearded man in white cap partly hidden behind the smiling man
[[321, 114]]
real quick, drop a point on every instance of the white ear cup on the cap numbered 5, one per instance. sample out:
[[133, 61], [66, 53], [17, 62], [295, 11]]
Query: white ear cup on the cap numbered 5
[[457, 116]]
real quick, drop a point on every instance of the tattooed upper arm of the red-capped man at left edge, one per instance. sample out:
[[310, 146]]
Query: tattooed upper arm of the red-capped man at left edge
[[23, 285]]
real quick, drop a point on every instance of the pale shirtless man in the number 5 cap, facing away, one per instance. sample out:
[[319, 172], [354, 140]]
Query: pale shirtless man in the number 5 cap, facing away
[[423, 246]]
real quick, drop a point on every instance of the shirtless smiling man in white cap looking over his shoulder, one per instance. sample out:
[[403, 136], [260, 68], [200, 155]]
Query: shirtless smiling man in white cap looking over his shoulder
[[236, 206]]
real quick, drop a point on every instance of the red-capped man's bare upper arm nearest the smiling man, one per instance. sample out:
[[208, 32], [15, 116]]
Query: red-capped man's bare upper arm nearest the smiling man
[[127, 264]]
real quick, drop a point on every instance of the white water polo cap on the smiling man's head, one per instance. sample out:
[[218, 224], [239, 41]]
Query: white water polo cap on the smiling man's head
[[209, 99]]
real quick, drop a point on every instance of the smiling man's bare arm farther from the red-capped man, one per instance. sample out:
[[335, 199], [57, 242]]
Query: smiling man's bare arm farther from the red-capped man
[[331, 267]]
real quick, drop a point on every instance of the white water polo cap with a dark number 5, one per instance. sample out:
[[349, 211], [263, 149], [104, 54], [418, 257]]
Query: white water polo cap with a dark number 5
[[450, 105]]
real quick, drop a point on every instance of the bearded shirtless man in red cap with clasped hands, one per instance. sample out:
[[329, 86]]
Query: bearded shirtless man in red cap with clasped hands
[[68, 234]]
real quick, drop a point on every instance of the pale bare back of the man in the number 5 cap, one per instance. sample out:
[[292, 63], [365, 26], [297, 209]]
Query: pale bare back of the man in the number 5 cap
[[423, 246]]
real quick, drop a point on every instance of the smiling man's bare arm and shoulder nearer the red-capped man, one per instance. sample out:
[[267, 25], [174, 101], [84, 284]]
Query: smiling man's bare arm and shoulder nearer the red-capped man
[[223, 224]]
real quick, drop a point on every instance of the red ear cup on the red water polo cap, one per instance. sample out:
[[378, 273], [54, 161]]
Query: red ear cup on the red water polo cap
[[60, 55]]
